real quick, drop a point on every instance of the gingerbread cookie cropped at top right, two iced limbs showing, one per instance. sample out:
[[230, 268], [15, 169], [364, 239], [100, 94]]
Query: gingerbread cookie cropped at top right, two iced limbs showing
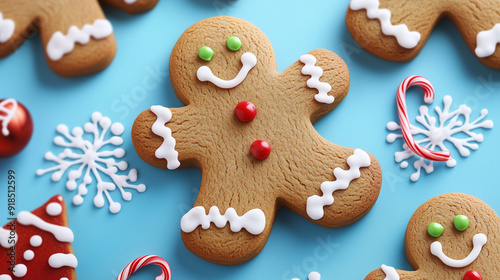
[[397, 30]]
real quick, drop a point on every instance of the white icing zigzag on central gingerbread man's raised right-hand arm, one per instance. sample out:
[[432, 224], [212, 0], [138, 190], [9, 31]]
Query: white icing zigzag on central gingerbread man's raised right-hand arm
[[316, 72]]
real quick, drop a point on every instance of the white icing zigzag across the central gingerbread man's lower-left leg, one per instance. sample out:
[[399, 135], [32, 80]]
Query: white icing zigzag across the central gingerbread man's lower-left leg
[[254, 221]]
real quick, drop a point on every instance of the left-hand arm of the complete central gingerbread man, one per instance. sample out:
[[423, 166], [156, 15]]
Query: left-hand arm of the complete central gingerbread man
[[165, 137]]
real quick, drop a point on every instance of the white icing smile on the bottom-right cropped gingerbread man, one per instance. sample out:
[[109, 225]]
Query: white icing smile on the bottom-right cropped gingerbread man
[[478, 240]]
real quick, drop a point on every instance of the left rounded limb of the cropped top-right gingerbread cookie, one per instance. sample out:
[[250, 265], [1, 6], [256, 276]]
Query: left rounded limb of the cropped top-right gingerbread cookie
[[392, 30]]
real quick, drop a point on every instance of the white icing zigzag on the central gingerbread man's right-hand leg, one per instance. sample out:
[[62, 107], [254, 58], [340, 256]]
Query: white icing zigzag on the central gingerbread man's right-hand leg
[[316, 203]]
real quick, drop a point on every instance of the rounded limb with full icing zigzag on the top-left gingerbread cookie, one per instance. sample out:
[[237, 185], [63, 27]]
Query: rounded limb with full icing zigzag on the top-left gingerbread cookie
[[77, 40]]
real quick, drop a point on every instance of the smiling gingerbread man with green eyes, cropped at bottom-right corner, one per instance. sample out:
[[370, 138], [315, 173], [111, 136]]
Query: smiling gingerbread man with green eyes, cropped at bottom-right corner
[[451, 236]]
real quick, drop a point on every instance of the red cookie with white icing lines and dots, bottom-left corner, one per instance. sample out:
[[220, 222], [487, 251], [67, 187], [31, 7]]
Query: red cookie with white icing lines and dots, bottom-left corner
[[37, 245]]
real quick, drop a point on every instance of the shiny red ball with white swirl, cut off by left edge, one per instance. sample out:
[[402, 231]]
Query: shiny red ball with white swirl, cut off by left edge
[[16, 127]]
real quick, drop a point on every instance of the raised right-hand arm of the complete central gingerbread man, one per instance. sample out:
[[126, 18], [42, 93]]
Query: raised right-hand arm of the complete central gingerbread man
[[320, 79]]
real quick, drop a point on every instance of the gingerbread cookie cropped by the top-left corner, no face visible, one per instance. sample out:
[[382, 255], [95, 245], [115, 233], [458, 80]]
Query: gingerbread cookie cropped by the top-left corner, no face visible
[[76, 37]]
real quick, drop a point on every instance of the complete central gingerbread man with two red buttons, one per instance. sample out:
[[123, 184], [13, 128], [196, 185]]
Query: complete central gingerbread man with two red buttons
[[249, 129]]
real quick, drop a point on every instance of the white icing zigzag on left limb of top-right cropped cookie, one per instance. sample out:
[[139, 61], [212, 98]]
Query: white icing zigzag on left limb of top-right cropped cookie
[[406, 38]]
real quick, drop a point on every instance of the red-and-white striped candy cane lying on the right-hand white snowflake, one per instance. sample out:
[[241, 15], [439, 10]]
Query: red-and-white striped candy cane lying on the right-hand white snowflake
[[405, 123]]
